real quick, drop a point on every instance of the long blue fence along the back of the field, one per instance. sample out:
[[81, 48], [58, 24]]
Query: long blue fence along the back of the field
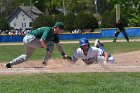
[[108, 33]]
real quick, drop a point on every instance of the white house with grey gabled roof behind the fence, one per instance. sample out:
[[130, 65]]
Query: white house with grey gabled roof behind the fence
[[22, 18]]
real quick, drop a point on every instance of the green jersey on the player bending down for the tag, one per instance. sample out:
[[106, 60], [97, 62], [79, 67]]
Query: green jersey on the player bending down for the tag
[[45, 33]]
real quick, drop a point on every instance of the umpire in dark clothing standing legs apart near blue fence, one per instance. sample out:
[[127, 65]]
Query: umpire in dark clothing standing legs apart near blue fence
[[120, 28]]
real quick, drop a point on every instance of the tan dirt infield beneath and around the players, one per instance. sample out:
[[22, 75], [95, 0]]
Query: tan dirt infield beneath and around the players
[[124, 62]]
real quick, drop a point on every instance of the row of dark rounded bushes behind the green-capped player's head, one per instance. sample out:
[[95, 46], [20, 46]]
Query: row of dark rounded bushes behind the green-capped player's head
[[71, 21]]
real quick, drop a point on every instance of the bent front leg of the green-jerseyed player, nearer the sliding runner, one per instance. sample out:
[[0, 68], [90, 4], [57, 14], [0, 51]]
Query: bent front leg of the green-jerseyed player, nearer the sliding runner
[[48, 52]]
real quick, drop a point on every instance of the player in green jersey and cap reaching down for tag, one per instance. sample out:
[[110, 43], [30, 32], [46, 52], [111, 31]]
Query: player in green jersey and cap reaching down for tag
[[44, 37]]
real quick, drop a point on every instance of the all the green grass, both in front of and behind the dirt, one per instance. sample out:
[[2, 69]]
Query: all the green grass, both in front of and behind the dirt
[[123, 82]]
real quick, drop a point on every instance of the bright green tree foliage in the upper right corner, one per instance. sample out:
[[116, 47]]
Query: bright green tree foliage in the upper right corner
[[130, 10]]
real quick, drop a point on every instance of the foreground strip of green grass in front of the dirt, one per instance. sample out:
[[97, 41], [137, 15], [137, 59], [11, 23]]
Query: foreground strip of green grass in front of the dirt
[[71, 83]]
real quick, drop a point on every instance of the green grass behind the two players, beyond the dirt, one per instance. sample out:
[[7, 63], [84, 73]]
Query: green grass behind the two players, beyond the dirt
[[9, 52]]
